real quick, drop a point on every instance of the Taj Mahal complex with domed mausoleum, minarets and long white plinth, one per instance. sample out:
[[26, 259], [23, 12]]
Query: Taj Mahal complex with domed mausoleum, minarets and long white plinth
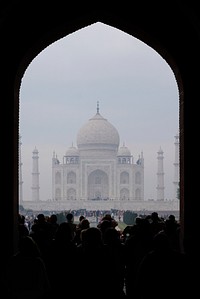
[[99, 174]]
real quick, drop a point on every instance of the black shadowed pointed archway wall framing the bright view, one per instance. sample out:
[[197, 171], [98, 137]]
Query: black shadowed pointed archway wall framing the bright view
[[166, 30]]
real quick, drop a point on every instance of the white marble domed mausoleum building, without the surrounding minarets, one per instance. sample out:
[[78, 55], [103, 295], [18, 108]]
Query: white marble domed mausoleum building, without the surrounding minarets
[[98, 169]]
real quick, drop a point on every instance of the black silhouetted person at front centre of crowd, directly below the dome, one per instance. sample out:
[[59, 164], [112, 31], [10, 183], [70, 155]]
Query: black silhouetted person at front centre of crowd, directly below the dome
[[94, 264]]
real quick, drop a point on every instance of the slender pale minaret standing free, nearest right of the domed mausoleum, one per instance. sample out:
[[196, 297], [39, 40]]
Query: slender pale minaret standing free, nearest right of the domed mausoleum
[[160, 177]]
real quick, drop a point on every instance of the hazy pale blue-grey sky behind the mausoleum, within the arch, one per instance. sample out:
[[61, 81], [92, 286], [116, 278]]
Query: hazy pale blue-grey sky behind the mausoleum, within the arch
[[134, 85]]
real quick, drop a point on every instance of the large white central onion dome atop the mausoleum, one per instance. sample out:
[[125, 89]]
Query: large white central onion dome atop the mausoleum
[[98, 133]]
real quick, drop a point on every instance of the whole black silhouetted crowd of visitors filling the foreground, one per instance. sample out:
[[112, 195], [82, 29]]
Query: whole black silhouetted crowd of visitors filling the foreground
[[145, 260]]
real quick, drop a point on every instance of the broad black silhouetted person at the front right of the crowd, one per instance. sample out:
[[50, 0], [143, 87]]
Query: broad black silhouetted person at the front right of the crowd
[[163, 272]]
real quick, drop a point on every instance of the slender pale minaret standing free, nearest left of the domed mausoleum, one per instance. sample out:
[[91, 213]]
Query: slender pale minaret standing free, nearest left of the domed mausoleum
[[35, 177]]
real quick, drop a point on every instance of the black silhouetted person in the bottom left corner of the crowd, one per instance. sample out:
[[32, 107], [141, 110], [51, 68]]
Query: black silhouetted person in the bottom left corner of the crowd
[[26, 272]]
